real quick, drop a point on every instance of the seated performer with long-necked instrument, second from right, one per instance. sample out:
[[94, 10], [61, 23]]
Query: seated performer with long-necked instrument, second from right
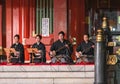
[[61, 50]]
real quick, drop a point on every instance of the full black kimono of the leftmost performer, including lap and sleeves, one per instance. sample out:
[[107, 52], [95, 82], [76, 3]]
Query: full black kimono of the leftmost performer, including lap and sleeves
[[19, 48]]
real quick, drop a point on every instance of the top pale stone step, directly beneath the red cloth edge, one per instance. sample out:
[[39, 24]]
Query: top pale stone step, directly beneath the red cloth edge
[[47, 68]]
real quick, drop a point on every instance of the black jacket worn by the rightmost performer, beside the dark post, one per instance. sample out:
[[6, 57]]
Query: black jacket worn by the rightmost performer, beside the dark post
[[86, 48]]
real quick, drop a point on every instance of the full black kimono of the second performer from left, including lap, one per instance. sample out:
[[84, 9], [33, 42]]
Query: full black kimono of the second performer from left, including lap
[[41, 47]]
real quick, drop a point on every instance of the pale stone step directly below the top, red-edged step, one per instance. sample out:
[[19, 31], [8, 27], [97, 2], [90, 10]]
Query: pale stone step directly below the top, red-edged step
[[46, 75]]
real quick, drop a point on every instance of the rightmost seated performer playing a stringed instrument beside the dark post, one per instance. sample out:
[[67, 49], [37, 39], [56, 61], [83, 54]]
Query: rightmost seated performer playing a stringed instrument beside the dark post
[[85, 50]]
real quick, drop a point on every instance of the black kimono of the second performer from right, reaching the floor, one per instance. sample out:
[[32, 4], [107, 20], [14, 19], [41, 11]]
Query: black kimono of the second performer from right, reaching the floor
[[60, 49]]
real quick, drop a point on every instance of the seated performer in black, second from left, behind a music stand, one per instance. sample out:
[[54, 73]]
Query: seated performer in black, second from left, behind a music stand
[[40, 55]]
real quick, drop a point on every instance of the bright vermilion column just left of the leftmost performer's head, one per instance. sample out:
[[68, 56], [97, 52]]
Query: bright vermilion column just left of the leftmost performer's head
[[9, 29]]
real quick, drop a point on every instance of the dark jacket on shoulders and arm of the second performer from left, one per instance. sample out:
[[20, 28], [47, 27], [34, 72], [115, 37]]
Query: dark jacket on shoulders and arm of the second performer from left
[[41, 47]]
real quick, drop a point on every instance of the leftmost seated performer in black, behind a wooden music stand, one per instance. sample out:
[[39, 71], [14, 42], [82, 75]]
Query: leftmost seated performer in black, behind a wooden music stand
[[18, 55]]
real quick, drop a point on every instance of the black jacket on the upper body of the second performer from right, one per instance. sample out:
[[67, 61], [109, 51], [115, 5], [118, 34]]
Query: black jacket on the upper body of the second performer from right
[[60, 48]]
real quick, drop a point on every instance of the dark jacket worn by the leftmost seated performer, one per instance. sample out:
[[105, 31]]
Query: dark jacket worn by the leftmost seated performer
[[19, 47]]
